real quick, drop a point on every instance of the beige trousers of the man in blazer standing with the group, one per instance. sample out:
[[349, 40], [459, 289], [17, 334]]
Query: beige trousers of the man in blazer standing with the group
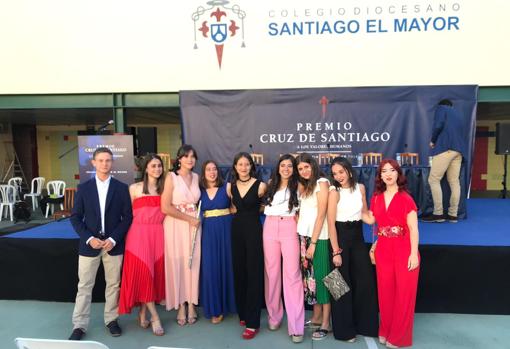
[[87, 270]]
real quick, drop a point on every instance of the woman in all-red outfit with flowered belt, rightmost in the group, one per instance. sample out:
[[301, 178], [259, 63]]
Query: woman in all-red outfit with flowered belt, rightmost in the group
[[395, 254]]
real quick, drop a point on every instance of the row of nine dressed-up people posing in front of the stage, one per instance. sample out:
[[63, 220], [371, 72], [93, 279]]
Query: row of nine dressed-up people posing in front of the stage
[[191, 237]]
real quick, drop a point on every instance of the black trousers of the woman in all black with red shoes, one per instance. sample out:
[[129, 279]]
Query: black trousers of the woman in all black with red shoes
[[248, 266]]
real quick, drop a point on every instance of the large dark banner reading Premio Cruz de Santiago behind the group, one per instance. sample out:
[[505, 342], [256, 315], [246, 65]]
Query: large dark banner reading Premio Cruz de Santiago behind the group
[[346, 121]]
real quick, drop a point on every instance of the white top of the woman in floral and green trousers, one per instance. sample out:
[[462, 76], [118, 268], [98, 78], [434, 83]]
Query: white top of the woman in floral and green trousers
[[308, 214]]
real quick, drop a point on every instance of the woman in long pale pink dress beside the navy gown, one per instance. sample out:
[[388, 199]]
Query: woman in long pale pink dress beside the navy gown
[[179, 203]]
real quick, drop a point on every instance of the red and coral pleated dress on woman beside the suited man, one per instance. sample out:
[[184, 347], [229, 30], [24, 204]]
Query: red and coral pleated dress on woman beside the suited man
[[143, 274]]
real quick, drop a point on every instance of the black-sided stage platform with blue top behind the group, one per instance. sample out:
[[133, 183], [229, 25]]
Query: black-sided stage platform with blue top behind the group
[[464, 265]]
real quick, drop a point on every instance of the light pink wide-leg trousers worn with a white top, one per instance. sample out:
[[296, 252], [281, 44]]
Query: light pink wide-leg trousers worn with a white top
[[281, 239]]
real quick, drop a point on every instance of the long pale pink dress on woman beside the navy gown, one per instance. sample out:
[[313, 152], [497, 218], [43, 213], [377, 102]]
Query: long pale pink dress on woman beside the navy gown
[[181, 281]]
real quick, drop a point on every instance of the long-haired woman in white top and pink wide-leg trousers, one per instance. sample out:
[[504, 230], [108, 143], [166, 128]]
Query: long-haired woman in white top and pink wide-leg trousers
[[280, 238]]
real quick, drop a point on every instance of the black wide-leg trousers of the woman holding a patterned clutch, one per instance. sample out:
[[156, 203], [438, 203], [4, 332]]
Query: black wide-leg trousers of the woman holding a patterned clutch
[[357, 311]]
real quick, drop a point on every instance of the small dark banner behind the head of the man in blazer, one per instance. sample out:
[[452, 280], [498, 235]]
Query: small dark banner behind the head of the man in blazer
[[123, 159]]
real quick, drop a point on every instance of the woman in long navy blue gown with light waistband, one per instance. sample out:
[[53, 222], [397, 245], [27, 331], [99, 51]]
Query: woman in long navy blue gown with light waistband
[[216, 275]]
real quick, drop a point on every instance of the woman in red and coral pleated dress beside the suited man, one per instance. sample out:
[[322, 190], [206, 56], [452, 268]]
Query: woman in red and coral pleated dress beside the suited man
[[143, 274]]
